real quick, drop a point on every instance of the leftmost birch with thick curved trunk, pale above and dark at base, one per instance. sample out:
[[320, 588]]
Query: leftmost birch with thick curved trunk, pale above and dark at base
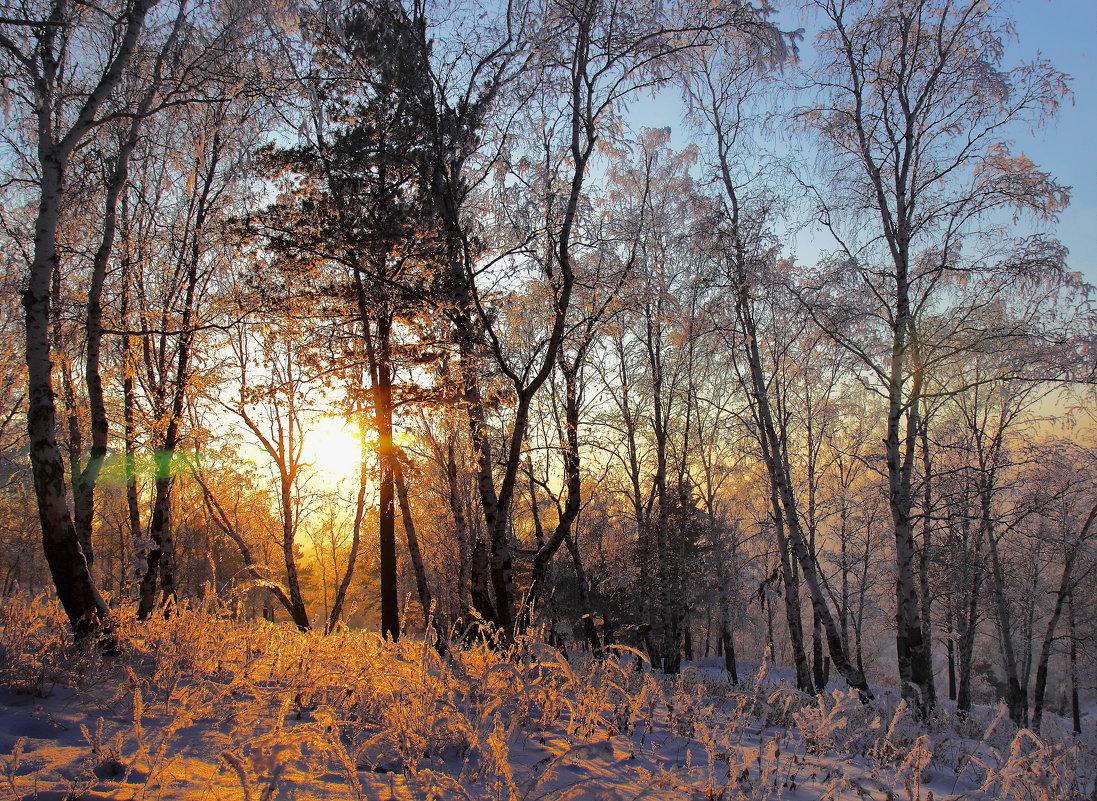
[[65, 99]]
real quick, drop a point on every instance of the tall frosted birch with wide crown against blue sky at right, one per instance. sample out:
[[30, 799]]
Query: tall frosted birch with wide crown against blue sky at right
[[913, 112]]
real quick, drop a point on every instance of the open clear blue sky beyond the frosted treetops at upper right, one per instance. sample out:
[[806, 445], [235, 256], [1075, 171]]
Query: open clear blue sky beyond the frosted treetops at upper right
[[1064, 32]]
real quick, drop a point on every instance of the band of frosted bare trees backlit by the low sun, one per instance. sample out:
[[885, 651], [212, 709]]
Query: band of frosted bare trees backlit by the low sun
[[597, 397]]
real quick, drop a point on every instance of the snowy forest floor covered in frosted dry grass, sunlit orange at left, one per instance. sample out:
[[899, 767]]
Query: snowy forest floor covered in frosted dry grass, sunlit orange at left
[[199, 707]]
